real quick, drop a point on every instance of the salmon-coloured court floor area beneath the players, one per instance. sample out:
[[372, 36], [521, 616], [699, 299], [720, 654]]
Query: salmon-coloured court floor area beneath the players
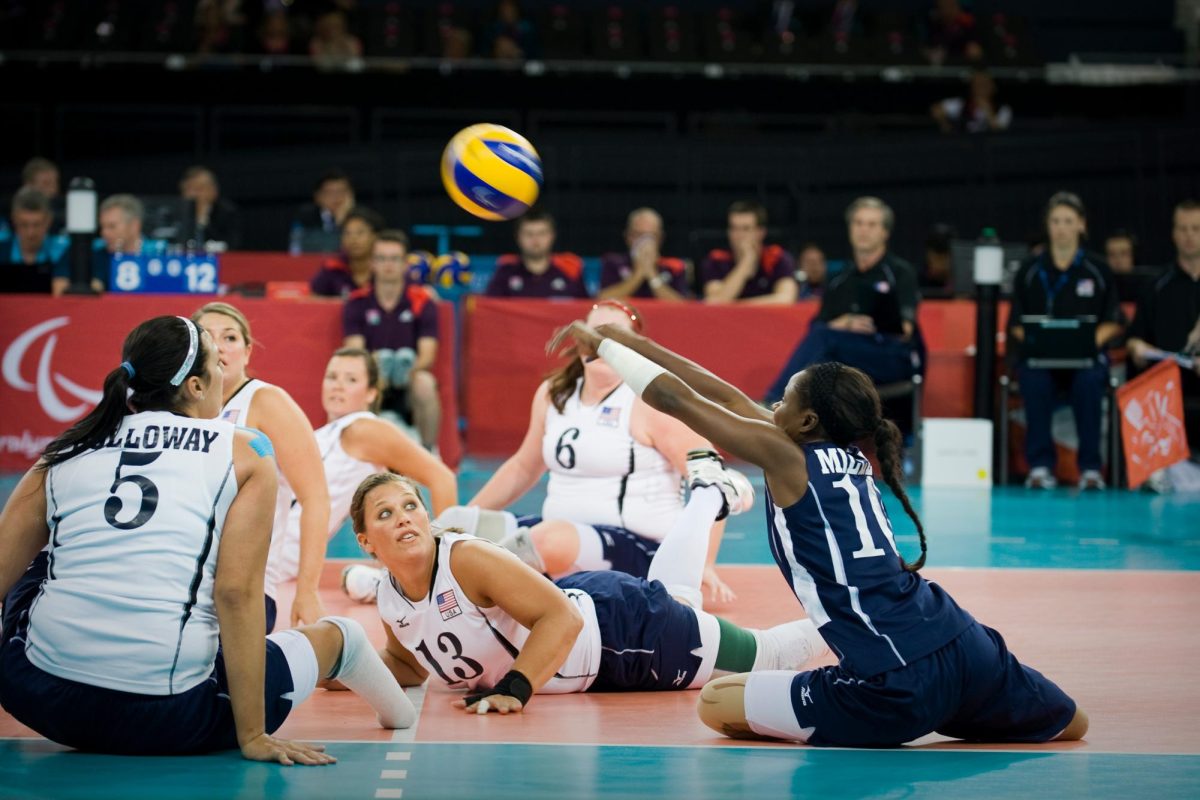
[[1120, 642]]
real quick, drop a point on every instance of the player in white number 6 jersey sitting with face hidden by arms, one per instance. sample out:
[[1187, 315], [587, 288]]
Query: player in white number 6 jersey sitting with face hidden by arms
[[615, 466]]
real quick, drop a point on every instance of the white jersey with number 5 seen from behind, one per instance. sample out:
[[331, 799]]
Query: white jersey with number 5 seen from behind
[[135, 531]]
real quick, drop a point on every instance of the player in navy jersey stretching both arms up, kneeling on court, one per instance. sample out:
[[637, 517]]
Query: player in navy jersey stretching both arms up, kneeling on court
[[911, 660]]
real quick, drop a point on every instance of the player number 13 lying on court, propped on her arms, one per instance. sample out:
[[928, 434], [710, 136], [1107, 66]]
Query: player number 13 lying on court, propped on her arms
[[473, 617]]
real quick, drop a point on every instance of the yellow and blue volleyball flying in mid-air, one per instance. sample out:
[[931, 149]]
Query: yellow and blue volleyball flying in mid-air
[[491, 172]]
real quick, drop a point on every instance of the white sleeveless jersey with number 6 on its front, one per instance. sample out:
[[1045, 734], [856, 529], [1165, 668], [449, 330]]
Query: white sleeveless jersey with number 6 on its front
[[601, 476]]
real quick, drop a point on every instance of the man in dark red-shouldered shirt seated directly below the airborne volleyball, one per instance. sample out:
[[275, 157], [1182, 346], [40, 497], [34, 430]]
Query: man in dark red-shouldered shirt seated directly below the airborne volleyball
[[537, 272]]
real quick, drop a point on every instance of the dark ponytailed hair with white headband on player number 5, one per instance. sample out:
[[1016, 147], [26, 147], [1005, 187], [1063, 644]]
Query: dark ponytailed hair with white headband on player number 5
[[153, 354]]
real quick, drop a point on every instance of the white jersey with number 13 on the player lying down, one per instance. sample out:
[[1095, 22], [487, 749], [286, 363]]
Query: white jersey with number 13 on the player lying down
[[464, 647]]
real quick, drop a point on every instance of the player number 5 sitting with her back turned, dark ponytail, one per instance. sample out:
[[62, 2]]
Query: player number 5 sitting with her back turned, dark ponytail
[[153, 520]]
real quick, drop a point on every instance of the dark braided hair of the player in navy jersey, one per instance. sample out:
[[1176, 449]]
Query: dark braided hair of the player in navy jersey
[[849, 408]]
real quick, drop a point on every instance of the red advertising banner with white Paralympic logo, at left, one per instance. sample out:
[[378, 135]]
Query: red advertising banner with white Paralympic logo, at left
[[55, 354]]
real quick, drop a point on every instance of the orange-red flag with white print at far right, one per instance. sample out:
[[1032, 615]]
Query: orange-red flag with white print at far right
[[1153, 431]]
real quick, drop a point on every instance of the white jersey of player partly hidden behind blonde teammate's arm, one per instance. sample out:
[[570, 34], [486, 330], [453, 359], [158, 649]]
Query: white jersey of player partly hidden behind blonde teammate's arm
[[344, 473]]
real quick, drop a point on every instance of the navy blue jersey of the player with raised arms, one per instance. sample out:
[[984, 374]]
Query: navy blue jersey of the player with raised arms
[[838, 554]]
